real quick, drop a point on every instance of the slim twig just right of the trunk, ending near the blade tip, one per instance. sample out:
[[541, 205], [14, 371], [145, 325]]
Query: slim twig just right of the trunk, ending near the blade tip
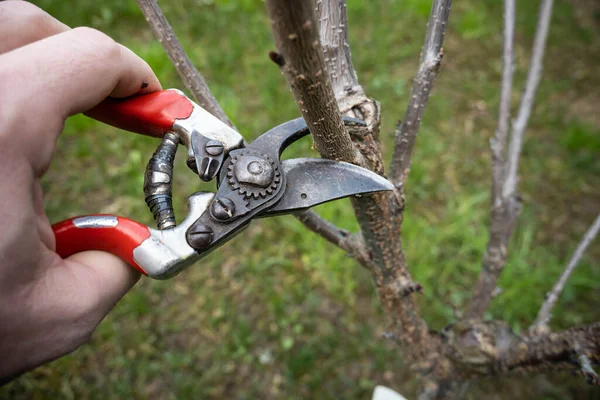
[[429, 64]]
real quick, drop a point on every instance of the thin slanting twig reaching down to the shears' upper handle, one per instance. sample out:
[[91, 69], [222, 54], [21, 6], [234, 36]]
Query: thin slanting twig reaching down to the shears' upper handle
[[192, 79]]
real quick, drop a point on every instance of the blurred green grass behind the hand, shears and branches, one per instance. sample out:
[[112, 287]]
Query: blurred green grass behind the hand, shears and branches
[[278, 312]]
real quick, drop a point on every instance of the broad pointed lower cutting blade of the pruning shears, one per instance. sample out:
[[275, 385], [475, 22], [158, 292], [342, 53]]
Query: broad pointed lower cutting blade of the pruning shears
[[312, 181]]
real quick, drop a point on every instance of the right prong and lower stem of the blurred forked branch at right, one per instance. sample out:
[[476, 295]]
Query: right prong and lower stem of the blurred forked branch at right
[[504, 215]]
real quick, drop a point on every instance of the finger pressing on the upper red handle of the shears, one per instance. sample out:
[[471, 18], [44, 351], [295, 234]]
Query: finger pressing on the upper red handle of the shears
[[73, 71]]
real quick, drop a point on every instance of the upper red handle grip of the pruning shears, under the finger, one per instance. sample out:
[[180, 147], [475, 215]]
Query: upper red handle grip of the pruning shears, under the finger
[[148, 114]]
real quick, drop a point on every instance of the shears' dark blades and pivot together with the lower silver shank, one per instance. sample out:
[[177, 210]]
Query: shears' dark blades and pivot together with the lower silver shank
[[253, 183]]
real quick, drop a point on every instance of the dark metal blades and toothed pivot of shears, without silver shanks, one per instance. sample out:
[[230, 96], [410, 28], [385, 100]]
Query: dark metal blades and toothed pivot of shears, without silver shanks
[[254, 182]]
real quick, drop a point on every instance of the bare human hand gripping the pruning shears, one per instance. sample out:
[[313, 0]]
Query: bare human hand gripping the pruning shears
[[50, 306]]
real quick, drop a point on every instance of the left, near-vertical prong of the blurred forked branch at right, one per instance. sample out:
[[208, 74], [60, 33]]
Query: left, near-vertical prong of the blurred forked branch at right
[[498, 143]]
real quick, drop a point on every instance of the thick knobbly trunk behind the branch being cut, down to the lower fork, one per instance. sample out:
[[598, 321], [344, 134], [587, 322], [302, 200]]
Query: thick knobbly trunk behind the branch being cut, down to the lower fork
[[377, 214]]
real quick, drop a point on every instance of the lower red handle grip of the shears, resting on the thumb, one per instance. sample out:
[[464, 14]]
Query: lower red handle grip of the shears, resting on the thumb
[[116, 235]]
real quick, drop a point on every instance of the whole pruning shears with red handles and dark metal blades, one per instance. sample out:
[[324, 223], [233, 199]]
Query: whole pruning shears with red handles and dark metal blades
[[252, 182]]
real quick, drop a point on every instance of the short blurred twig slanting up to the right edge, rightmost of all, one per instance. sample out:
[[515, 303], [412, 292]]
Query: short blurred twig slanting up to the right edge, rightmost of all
[[544, 315]]
